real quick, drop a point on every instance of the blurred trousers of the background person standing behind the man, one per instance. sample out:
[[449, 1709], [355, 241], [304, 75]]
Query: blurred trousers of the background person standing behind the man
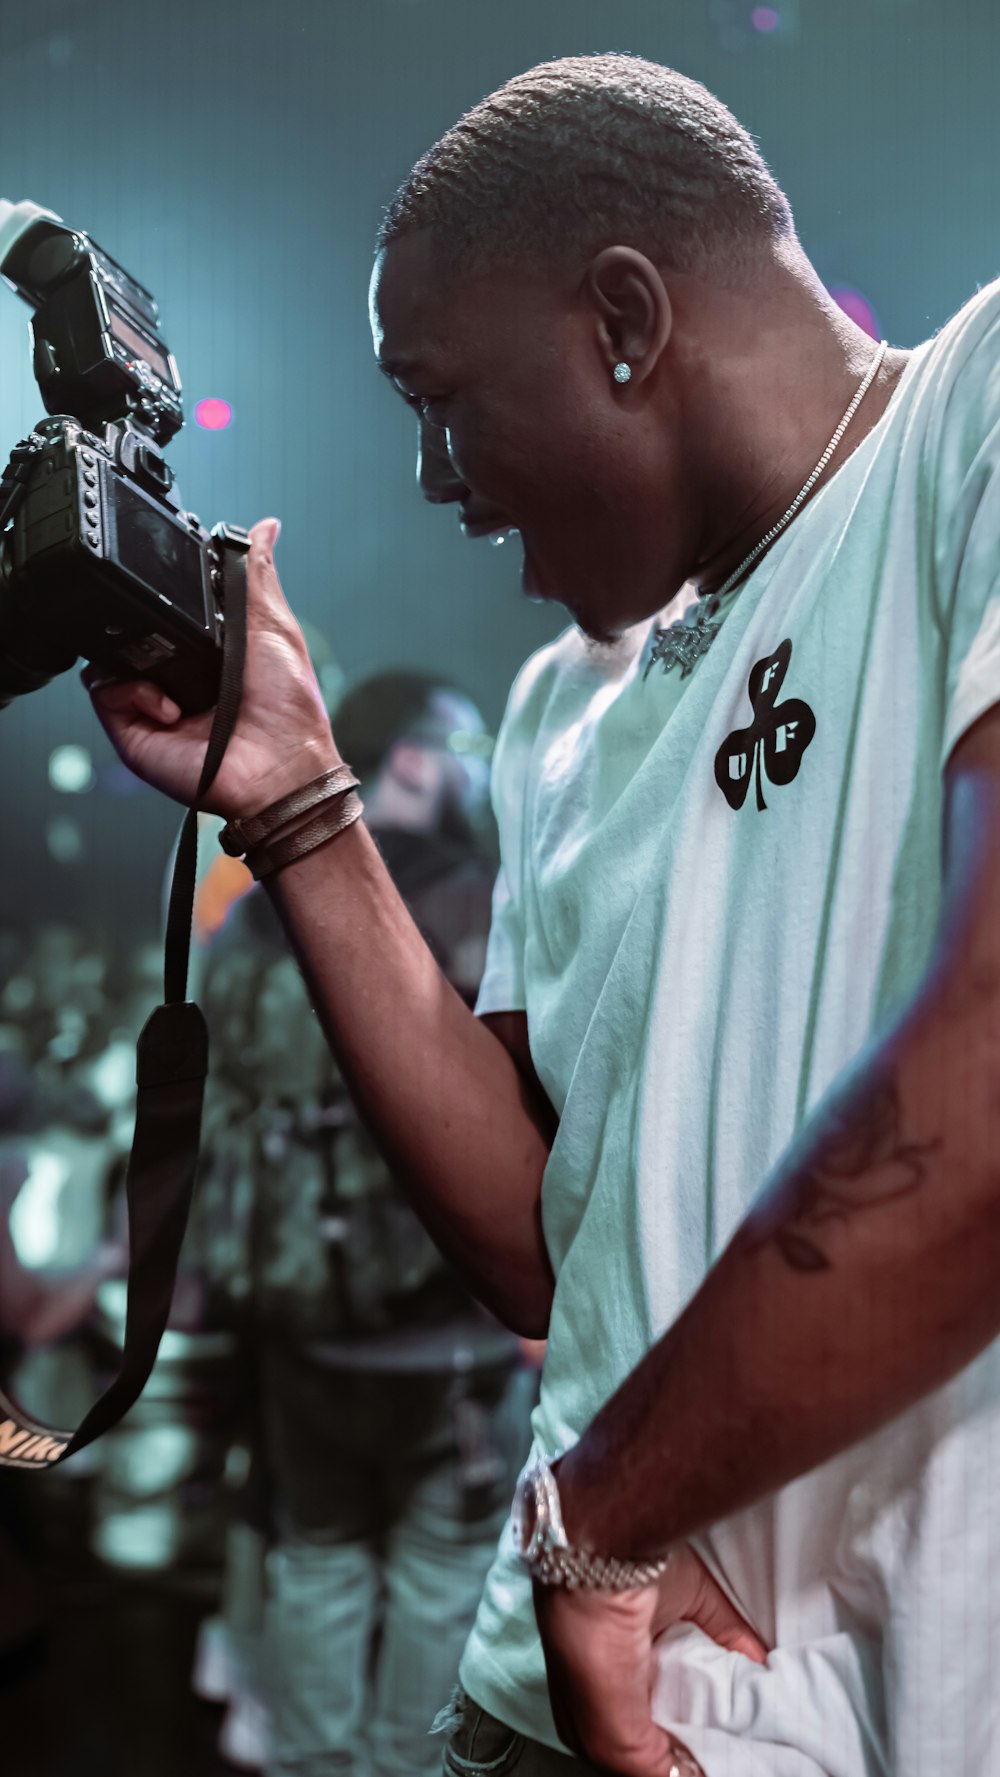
[[383, 1543]]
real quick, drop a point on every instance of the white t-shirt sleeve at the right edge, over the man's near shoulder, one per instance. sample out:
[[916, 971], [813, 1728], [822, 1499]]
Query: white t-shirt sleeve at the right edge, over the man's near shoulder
[[967, 530]]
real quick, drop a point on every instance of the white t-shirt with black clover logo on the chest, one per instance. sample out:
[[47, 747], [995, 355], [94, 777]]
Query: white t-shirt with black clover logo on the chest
[[704, 928]]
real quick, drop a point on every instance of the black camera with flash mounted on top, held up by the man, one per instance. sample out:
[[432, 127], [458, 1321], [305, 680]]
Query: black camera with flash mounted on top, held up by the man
[[97, 555]]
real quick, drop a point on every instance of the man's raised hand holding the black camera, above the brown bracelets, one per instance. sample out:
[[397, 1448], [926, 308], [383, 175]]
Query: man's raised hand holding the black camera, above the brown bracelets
[[282, 737]]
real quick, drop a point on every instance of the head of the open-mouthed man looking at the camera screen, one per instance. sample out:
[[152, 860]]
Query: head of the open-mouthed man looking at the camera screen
[[591, 212]]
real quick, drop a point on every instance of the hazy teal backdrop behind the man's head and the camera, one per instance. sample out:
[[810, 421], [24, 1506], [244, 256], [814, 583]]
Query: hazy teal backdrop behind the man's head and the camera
[[237, 155]]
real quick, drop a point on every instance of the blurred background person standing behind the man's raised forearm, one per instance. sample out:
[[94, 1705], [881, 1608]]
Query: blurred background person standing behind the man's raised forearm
[[392, 1412]]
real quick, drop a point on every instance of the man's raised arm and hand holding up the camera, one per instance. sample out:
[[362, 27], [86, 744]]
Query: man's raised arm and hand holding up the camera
[[466, 1129]]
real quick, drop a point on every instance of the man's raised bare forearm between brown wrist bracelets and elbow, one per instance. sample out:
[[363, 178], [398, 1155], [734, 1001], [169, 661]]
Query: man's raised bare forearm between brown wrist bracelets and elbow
[[457, 1122]]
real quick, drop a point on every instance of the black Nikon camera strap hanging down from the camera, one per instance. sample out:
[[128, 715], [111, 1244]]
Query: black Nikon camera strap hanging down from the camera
[[171, 1072]]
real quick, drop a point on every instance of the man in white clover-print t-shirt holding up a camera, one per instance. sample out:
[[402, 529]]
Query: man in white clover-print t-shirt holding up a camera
[[726, 953]]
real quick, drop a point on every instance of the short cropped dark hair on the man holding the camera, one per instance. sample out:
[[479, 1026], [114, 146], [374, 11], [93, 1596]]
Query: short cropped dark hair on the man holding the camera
[[594, 152]]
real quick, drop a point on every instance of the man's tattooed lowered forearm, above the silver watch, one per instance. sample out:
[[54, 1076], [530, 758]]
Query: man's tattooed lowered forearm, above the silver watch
[[864, 1279]]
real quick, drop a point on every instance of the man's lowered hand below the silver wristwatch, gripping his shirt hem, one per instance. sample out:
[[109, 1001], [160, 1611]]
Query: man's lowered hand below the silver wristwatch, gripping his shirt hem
[[599, 1657]]
